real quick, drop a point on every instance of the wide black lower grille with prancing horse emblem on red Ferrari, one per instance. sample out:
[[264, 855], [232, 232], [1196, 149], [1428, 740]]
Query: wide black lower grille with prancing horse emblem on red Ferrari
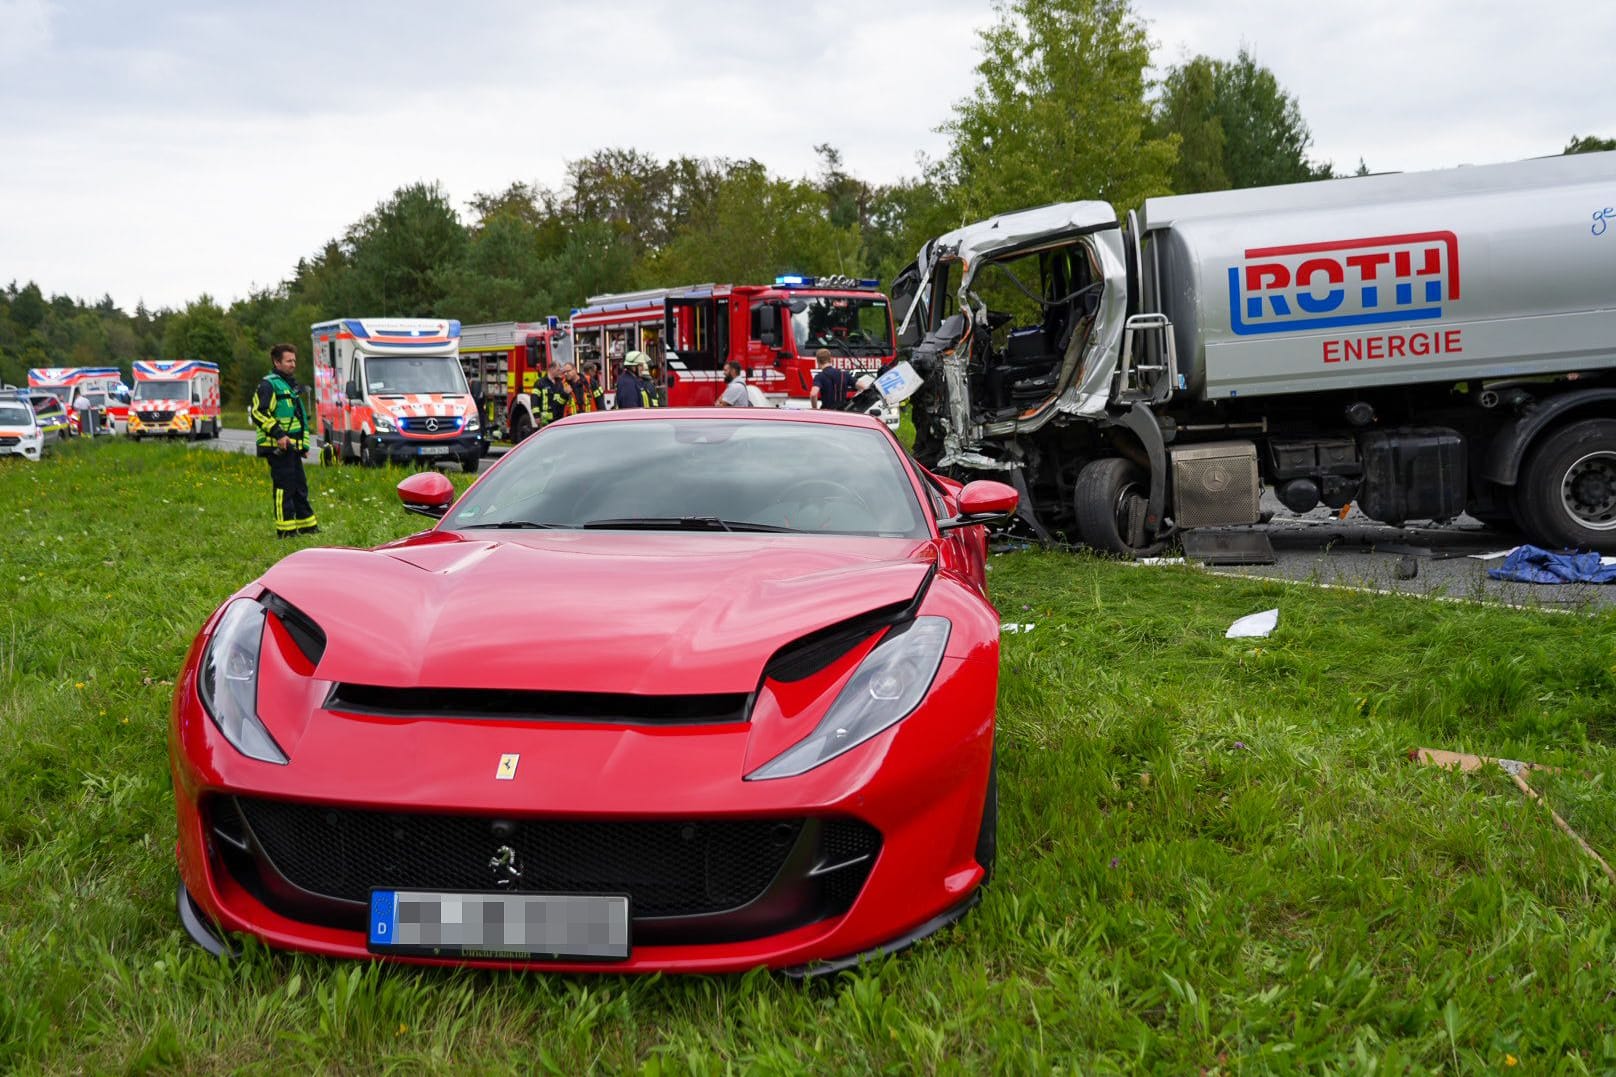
[[783, 872]]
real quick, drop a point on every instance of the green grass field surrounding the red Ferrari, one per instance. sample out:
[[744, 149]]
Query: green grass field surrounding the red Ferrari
[[1213, 853]]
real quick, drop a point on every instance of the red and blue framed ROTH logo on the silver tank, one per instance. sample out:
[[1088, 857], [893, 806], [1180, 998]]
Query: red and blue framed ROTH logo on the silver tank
[[1347, 282]]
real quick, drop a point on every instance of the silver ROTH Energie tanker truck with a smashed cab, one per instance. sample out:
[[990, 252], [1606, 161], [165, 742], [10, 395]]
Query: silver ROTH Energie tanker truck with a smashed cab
[[1421, 345]]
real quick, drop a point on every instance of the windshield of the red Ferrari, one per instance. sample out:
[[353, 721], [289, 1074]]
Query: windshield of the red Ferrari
[[701, 475]]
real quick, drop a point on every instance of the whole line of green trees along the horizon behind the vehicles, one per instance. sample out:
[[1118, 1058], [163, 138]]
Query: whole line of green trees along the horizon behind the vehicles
[[1064, 108]]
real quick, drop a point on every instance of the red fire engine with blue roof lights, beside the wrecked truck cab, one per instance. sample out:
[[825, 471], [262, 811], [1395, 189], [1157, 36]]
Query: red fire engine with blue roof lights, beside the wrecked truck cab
[[772, 331]]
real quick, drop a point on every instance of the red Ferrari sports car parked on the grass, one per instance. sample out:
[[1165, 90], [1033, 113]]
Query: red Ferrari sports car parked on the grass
[[688, 691]]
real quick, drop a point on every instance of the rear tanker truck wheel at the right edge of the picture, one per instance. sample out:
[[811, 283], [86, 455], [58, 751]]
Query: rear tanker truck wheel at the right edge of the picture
[[1568, 489]]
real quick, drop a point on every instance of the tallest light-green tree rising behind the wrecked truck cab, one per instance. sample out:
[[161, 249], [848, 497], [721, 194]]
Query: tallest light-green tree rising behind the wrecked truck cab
[[1059, 112]]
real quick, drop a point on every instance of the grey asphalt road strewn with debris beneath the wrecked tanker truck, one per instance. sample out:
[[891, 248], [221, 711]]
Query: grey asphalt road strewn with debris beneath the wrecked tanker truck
[[1353, 552]]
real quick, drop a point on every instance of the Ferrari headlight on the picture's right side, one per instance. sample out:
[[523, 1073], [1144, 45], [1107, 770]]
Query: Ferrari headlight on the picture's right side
[[888, 685]]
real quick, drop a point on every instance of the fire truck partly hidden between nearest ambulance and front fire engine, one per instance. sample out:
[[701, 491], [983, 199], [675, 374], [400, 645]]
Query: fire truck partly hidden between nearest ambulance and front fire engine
[[505, 360]]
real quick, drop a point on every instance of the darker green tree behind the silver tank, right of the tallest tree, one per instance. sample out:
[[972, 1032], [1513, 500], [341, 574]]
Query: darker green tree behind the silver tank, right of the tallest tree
[[1237, 129]]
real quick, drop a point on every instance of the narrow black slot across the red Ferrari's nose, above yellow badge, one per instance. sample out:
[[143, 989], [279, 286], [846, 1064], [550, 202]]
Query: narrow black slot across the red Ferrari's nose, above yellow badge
[[523, 706]]
